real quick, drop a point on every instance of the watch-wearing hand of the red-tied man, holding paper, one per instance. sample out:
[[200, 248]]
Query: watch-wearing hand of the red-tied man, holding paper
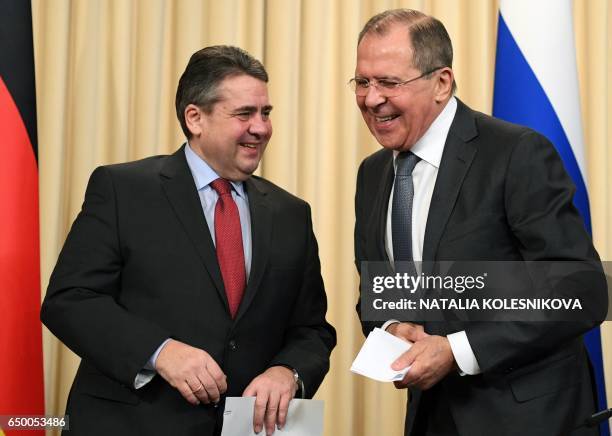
[[273, 390]]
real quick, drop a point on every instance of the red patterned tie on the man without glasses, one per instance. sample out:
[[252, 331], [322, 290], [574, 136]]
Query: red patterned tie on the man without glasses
[[228, 237]]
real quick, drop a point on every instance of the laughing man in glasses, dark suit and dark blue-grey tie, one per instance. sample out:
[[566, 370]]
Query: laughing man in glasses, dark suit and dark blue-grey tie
[[473, 188]]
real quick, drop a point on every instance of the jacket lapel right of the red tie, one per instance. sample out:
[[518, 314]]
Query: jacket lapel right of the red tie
[[261, 231]]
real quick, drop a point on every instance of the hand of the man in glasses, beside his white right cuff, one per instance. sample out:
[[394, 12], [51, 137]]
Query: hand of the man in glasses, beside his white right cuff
[[429, 358]]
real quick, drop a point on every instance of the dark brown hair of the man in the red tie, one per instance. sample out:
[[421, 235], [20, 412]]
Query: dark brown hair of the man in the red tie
[[207, 68]]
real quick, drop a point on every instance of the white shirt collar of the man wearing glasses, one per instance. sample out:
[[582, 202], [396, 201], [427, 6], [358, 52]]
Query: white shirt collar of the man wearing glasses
[[431, 145]]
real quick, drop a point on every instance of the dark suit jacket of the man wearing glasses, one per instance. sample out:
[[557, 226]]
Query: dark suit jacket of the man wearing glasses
[[501, 194]]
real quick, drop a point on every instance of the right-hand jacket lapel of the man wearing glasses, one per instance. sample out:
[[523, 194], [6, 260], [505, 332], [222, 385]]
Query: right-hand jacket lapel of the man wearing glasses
[[456, 160]]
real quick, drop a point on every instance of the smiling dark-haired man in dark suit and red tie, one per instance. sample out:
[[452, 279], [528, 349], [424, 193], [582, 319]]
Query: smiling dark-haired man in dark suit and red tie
[[185, 278]]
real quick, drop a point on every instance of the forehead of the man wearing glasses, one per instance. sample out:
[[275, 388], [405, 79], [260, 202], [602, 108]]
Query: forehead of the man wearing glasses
[[385, 55]]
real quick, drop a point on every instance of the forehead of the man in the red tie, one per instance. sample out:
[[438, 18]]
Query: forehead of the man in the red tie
[[243, 90]]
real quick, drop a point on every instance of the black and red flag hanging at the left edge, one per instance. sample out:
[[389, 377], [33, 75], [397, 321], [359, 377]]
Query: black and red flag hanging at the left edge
[[21, 371]]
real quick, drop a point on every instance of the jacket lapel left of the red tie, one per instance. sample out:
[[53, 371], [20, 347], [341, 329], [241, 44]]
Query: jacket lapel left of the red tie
[[178, 184]]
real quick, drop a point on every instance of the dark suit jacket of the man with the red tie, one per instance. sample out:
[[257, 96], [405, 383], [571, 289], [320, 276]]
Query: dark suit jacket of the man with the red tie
[[139, 266]]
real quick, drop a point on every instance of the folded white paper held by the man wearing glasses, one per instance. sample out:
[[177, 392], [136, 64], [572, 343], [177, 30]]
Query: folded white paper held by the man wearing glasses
[[378, 352]]
